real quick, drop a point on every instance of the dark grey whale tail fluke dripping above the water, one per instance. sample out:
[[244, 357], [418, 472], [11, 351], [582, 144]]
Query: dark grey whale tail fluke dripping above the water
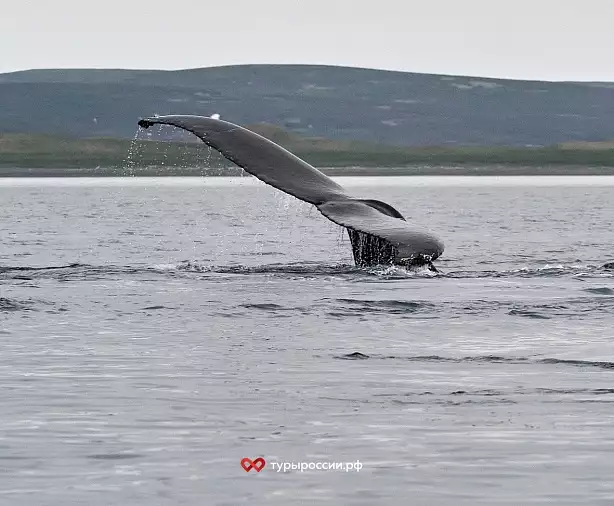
[[378, 233]]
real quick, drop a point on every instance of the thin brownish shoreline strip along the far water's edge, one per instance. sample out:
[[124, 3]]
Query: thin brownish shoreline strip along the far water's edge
[[499, 170]]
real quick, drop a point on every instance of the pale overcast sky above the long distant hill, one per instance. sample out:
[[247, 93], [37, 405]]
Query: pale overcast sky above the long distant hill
[[524, 39]]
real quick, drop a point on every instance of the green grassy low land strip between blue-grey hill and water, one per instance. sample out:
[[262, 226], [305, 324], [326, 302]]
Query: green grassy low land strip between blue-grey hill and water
[[28, 154]]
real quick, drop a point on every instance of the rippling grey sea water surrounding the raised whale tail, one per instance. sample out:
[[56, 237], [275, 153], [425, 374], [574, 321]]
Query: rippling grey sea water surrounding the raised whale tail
[[154, 332]]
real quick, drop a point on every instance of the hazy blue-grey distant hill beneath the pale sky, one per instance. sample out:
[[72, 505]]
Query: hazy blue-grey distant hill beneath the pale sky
[[371, 106]]
